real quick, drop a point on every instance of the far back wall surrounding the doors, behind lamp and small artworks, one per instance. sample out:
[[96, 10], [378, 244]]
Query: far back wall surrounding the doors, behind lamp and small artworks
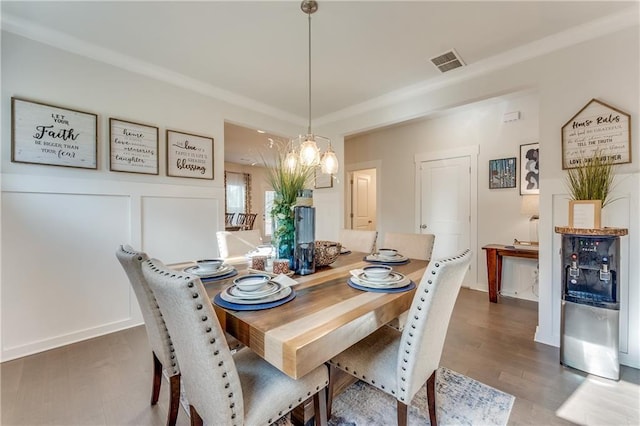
[[480, 124]]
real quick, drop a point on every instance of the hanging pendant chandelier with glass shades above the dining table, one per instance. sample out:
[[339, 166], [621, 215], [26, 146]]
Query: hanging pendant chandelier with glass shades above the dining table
[[304, 149]]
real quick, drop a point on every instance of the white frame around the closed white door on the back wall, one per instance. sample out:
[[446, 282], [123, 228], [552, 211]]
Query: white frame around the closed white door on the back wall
[[471, 151]]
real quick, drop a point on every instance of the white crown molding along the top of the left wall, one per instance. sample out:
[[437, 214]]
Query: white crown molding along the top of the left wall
[[74, 45]]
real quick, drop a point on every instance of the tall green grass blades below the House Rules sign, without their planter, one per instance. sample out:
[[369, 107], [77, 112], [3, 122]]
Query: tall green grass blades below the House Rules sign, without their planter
[[592, 180]]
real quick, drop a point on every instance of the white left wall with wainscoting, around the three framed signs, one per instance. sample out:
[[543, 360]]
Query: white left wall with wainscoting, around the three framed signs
[[60, 280]]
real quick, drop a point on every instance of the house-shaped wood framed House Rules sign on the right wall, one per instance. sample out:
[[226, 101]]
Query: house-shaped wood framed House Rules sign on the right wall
[[596, 128]]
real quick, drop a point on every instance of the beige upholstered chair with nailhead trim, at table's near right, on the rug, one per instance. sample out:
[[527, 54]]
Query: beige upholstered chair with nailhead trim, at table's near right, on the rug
[[399, 363]]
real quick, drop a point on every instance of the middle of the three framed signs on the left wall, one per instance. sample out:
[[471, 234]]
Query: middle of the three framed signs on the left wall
[[133, 147]]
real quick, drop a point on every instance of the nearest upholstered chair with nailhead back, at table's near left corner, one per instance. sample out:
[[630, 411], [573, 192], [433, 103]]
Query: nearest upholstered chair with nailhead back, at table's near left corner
[[225, 388]]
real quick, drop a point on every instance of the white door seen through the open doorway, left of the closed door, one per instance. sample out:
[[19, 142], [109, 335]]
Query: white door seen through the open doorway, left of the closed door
[[363, 200]]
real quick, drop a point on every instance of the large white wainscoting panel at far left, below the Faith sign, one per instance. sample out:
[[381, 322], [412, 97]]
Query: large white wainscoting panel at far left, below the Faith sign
[[61, 279]]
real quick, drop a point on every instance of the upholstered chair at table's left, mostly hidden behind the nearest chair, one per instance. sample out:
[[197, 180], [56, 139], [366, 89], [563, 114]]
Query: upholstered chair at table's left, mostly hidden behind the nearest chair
[[159, 339]]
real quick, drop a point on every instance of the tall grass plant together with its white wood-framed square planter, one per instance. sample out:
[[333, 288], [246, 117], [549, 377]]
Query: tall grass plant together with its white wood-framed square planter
[[589, 186]]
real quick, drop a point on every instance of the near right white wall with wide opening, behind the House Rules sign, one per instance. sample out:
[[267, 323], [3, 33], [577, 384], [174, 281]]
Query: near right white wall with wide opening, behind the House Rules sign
[[605, 67]]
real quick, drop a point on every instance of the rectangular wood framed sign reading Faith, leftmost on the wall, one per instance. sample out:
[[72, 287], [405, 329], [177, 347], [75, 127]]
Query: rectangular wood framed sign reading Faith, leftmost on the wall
[[52, 135]]
